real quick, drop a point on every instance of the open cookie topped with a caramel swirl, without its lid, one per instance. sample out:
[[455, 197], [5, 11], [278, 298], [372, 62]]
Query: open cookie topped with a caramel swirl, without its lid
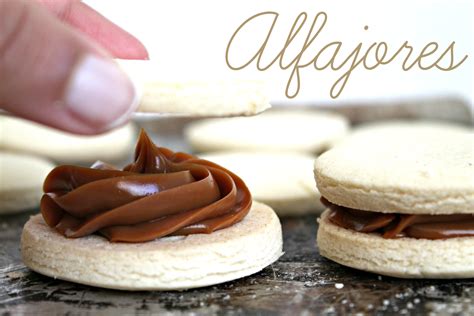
[[167, 221]]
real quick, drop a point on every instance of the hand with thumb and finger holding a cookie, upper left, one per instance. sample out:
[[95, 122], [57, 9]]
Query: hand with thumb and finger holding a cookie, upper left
[[42, 45]]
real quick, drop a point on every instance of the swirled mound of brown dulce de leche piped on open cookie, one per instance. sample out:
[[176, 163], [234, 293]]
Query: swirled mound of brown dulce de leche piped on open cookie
[[161, 193]]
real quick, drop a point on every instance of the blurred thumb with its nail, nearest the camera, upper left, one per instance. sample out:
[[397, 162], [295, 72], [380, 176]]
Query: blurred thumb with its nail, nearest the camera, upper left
[[55, 76]]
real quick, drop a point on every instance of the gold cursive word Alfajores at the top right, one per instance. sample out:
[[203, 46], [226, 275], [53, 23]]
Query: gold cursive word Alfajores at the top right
[[358, 56]]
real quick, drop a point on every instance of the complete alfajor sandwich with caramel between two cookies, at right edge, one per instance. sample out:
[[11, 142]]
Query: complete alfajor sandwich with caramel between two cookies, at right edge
[[400, 201]]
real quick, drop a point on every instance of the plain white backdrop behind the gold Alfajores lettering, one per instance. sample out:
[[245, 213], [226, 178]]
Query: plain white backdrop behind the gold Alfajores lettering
[[189, 38]]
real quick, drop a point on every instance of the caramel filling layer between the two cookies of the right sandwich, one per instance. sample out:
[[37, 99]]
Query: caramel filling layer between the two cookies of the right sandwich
[[393, 225]]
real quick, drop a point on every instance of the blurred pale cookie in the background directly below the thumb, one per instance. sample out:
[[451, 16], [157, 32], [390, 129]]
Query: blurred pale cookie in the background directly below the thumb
[[24, 136]]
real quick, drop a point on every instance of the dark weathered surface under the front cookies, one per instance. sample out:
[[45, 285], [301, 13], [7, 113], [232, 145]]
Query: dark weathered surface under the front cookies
[[300, 283]]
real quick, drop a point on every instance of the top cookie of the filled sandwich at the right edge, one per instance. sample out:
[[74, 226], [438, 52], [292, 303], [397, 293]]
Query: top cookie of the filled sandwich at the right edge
[[402, 167]]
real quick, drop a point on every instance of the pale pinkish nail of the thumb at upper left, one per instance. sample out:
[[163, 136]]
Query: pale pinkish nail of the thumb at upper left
[[100, 93]]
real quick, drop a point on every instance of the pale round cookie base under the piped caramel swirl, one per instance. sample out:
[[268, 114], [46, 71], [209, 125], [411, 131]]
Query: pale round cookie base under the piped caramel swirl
[[170, 263]]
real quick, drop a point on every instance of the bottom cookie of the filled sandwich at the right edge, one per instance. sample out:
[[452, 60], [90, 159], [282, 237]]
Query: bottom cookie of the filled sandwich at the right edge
[[404, 257]]
